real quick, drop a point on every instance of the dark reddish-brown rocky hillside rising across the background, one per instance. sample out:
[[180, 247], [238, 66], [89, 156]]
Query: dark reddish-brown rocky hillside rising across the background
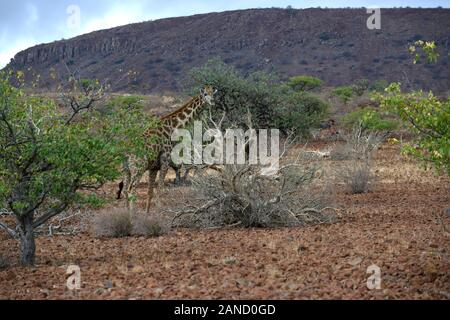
[[333, 44]]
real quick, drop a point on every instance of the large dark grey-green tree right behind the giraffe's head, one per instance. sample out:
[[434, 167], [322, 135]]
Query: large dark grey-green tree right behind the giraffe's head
[[270, 102]]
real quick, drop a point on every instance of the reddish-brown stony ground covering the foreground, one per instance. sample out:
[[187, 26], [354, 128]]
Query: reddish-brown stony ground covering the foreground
[[395, 226]]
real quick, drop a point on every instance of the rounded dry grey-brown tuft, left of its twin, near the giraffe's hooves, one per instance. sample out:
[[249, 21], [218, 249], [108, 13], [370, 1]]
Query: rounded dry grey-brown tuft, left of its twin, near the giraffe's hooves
[[115, 222]]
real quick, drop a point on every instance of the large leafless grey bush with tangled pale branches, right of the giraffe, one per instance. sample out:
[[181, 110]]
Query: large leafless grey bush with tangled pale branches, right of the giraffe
[[244, 195]]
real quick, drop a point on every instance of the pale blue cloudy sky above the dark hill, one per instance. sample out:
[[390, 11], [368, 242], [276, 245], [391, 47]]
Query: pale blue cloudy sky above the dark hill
[[24, 23]]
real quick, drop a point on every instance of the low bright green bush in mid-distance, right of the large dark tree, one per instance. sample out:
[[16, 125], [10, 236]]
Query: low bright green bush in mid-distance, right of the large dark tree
[[369, 118]]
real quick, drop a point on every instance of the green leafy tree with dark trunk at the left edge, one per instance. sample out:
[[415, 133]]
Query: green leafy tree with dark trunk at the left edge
[[50, 160]]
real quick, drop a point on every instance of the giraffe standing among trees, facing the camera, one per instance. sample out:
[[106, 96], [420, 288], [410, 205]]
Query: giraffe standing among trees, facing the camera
[[134, 167]]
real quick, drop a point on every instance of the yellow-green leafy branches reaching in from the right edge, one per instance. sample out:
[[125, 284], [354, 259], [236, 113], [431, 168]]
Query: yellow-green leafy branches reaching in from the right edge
[[426, 116]]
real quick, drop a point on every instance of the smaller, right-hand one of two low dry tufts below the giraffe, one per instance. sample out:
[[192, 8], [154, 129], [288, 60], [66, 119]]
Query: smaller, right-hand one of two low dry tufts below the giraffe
[[150, 225]]
